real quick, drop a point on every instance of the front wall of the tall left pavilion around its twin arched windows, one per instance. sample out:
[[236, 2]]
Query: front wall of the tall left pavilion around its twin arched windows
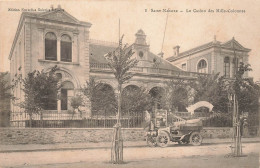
[[78, 68]]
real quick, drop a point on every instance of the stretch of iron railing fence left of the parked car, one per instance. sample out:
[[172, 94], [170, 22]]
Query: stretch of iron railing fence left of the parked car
[[66, 120]]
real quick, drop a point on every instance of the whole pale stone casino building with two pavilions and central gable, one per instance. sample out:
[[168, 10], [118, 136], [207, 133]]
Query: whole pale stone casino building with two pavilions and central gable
[[46, 39]]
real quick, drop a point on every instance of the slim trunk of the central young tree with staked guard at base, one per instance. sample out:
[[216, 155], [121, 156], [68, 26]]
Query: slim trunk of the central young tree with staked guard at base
[[117, 142]]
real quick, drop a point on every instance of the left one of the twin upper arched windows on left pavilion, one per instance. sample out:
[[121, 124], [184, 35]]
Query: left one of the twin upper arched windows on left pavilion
[[50, 46]]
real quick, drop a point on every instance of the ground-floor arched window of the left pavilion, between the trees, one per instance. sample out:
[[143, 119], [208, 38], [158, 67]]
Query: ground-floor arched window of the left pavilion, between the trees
[[67, 91]]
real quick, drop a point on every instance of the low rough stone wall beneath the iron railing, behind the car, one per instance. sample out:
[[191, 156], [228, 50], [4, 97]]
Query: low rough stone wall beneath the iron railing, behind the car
[[77, 135]]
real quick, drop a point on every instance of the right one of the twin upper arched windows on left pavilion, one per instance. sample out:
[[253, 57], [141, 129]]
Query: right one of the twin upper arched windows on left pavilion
[[66, 48]]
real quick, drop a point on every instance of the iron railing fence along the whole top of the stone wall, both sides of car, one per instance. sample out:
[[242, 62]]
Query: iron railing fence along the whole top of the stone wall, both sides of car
[[68, 120]]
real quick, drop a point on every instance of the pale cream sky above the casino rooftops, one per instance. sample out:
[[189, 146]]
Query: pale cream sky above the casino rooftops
[[186, 29]]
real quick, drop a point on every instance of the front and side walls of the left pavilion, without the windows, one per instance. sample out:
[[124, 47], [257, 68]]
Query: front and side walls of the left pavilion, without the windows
[[29, 53]]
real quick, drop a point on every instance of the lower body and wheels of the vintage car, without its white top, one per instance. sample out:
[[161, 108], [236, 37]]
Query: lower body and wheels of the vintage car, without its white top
[[183, 132]]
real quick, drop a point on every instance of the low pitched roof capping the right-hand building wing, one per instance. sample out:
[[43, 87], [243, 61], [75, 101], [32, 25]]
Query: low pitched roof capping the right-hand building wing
[[231, 44]]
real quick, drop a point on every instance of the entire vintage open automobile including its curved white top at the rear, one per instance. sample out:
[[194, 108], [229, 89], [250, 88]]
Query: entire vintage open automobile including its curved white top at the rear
[[183, 131]]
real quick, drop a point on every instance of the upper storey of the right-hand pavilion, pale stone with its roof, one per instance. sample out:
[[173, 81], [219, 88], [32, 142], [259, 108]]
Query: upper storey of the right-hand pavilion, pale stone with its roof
[[214, 54]]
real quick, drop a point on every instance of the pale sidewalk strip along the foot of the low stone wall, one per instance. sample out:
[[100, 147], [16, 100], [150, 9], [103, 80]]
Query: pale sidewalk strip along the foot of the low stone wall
[[99, 145]]
